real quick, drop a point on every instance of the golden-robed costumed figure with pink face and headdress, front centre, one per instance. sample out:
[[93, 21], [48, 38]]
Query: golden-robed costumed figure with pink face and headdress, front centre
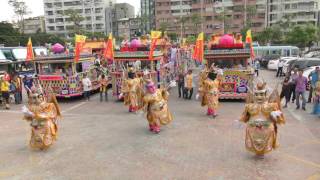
[[155, 103]]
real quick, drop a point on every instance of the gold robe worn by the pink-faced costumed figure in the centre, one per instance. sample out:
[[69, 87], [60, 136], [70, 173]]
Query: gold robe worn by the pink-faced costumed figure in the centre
[[157, 107]]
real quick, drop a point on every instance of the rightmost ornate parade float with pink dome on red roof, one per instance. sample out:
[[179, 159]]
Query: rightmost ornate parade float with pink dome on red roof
[[231, 55]]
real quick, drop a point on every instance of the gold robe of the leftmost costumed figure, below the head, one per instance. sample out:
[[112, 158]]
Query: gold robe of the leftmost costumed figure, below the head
[[45, 120]]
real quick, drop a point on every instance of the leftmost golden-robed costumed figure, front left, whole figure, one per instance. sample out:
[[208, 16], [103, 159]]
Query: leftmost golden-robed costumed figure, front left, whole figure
[[42, 116]]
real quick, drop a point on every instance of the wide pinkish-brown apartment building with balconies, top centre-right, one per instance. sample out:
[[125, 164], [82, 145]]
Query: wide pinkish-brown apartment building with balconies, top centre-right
[[189, 17]]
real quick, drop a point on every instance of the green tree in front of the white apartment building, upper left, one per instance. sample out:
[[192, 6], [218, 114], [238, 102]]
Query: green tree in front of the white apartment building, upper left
[[76, 18]]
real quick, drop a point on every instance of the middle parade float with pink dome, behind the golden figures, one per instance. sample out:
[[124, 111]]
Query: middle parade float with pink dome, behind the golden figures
[[137, 55]]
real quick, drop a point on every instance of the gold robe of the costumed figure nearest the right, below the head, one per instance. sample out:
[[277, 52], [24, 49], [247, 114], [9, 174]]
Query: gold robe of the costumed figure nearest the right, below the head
[[261, 131]]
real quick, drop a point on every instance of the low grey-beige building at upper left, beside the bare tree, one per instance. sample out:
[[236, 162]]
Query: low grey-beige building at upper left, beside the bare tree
[[34, 25]]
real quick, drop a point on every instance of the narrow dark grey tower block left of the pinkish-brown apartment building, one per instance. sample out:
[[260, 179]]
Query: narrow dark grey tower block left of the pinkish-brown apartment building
[[148, 16]]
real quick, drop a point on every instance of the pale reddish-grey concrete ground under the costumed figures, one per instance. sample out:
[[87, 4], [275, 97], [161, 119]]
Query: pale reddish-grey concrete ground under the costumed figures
[[103, 141]]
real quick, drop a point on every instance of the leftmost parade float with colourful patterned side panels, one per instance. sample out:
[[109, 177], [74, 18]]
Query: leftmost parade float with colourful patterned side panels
[[64, 75]]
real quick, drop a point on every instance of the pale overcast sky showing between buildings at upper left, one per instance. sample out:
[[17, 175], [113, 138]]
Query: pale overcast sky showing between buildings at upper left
[[36, 7]]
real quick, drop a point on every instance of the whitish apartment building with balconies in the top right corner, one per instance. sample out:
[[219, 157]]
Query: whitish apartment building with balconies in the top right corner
[[297, 11]]
